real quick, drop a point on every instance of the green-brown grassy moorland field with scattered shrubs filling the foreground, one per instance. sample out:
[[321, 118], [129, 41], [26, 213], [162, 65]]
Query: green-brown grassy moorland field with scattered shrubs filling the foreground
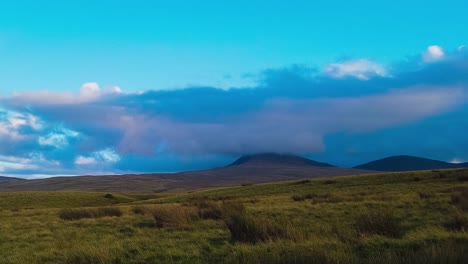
[[412, 217]]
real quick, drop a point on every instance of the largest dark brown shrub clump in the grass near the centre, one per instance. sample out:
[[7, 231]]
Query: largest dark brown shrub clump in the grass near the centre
[[245, 227]]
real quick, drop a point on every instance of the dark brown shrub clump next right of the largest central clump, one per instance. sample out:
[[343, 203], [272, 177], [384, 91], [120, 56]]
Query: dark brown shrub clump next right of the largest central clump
[[378, 222]]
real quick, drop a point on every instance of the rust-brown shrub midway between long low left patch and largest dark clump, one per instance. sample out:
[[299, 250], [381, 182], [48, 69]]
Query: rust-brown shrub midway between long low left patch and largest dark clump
[[174, 216]]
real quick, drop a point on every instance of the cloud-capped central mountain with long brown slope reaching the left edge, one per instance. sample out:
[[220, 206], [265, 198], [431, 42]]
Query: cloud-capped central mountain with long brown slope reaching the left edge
[[251, 169]]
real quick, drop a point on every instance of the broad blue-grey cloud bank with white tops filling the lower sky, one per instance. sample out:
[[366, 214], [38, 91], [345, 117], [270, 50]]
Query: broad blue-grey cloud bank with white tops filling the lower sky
[[345, 113]]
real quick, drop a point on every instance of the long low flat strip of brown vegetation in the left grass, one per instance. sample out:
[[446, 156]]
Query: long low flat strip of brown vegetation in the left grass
[[80, 213]]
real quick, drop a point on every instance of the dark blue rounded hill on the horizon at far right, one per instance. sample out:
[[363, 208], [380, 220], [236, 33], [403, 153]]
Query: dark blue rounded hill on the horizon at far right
[[407, 163]]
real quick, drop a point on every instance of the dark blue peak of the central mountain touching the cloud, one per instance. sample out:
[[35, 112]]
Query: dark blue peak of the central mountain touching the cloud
[[273, 158]]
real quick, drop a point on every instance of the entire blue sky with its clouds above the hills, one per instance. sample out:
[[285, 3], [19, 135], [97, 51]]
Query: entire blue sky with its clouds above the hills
[[110, 87]]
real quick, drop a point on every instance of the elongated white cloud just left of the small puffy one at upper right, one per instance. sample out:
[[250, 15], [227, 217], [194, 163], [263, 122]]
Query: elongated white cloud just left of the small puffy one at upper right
[[362, 69]]
